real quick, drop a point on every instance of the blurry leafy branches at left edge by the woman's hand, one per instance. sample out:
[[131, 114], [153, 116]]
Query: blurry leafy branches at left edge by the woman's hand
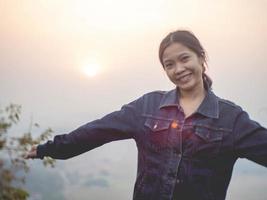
[[13, 166]]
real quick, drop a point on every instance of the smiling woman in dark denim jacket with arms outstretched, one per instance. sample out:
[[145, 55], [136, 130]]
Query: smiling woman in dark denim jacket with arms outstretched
[[189, 138]]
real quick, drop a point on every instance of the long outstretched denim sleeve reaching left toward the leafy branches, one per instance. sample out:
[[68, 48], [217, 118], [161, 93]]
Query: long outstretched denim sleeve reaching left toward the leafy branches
[[117, 125]]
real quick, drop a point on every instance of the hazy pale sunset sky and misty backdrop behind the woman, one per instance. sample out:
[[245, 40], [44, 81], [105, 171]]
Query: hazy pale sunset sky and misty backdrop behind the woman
[[69, 62]]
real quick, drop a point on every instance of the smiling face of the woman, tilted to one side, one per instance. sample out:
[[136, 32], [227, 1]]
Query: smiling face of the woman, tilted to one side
[[183, 67]]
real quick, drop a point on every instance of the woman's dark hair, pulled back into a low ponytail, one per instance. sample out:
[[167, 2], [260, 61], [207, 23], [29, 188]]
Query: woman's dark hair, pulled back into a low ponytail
[[189, 40]]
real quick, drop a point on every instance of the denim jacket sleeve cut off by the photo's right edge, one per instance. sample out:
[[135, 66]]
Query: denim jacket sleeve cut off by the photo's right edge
[[250, 139]]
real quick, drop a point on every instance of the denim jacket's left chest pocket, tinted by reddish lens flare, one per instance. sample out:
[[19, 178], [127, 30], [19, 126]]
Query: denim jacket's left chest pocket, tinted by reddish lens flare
[[157, 131]]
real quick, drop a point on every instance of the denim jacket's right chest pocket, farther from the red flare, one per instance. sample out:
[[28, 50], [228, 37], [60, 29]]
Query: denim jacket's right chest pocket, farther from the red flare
[[207, 140]]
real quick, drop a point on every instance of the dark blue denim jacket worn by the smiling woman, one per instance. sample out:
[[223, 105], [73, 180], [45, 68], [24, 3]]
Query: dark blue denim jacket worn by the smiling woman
[[178, 158]]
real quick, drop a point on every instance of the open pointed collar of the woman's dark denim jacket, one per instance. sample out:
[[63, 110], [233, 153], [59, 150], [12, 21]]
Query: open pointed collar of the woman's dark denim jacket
[[209, 106]]
